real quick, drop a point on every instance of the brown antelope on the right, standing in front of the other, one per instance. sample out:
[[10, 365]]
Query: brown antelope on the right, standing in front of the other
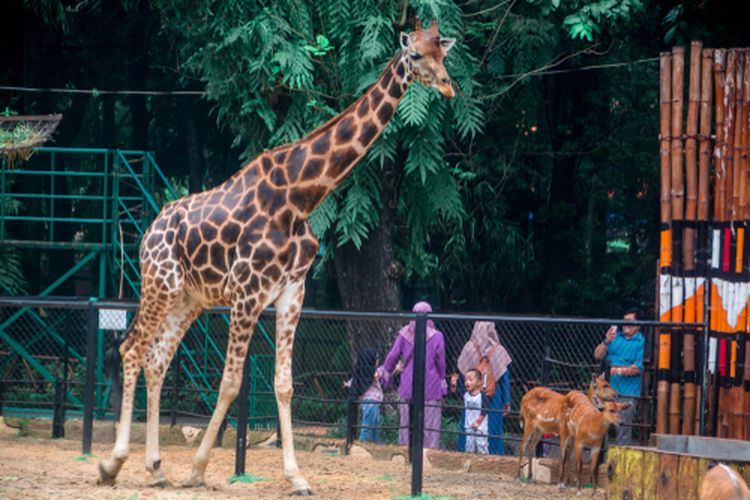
[[587, 425]]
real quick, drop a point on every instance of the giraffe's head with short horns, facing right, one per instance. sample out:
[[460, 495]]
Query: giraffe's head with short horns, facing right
[[425, 52]]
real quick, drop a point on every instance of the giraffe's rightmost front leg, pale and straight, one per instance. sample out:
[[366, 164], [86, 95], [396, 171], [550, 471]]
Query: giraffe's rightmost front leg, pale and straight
[[288, 308]]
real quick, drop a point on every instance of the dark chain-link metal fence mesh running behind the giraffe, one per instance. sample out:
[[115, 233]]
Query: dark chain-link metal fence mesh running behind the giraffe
[[45, 346]]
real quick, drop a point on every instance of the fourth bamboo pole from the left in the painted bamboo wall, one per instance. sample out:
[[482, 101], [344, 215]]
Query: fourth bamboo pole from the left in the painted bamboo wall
[[704, 186]]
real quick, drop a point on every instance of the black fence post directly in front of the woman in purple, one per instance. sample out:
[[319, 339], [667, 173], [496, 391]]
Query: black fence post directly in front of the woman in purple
[[417, 402]]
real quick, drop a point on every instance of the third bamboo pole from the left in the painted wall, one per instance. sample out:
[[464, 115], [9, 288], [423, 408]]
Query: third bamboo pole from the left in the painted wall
[[688, 240]]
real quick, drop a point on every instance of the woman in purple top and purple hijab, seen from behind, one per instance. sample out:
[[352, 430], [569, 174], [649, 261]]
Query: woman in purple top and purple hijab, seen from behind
[[435, 386]]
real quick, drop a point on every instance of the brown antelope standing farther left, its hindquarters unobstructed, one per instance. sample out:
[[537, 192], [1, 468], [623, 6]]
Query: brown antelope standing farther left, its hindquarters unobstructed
[[543, 410]]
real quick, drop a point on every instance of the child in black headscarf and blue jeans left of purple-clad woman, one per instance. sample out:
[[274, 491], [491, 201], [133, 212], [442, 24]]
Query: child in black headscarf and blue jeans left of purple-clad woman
[[365, 386]]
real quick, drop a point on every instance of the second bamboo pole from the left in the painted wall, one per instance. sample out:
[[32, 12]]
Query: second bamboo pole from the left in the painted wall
[[678, 210]]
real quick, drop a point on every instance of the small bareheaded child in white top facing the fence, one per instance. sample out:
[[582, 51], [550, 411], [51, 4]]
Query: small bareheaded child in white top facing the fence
[[475, 405]]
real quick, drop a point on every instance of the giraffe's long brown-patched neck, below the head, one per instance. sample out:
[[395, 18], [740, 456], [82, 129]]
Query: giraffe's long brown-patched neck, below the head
[[318, 163]]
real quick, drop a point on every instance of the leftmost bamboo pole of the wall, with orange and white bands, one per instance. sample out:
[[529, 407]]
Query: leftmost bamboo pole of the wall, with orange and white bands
[[665, 296]]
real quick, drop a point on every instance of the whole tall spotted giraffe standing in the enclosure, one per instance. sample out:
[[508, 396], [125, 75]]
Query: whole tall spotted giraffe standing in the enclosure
[[247, 244]]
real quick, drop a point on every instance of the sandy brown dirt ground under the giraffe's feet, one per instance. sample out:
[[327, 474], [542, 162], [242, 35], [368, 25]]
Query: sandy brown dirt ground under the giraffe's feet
[[45, 468]]
